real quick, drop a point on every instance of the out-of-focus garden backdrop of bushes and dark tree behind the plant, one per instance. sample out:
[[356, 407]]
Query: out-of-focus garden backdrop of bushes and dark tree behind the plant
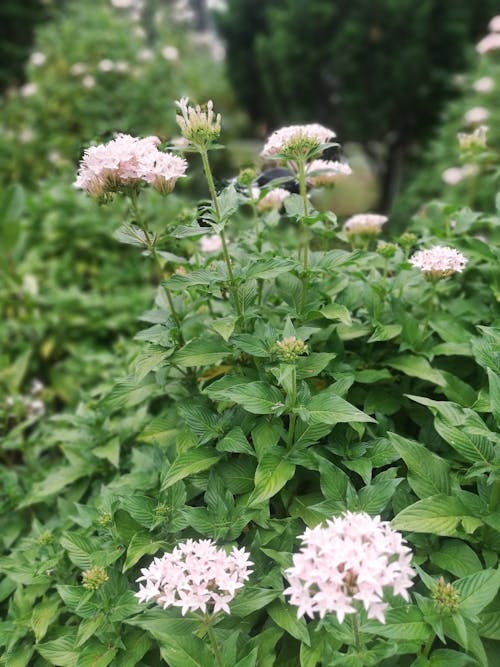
[[396, 79]]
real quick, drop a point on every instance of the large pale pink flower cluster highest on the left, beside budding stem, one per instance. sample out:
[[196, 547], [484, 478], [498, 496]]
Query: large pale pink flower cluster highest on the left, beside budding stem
[[126, 163]]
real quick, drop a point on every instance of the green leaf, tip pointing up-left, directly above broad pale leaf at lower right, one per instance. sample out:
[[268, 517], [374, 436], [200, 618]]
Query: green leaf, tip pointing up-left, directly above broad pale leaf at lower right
[[429, 474]]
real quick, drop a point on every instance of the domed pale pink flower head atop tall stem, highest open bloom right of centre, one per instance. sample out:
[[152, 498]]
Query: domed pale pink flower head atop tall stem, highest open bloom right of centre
[[297, 140]]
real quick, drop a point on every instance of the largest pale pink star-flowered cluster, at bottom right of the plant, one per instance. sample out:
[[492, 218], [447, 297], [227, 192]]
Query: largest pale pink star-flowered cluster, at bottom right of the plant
[[347, 564]]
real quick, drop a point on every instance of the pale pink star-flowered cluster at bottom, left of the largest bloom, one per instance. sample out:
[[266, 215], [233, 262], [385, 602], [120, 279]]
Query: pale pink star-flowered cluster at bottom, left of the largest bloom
[[196, 575]]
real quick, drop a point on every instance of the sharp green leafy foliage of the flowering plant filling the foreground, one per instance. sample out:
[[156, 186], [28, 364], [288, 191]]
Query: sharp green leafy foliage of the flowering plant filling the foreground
[[294, 374]]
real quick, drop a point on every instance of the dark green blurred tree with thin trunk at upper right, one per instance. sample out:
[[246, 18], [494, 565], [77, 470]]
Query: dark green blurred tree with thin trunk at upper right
[[378, 71]]
